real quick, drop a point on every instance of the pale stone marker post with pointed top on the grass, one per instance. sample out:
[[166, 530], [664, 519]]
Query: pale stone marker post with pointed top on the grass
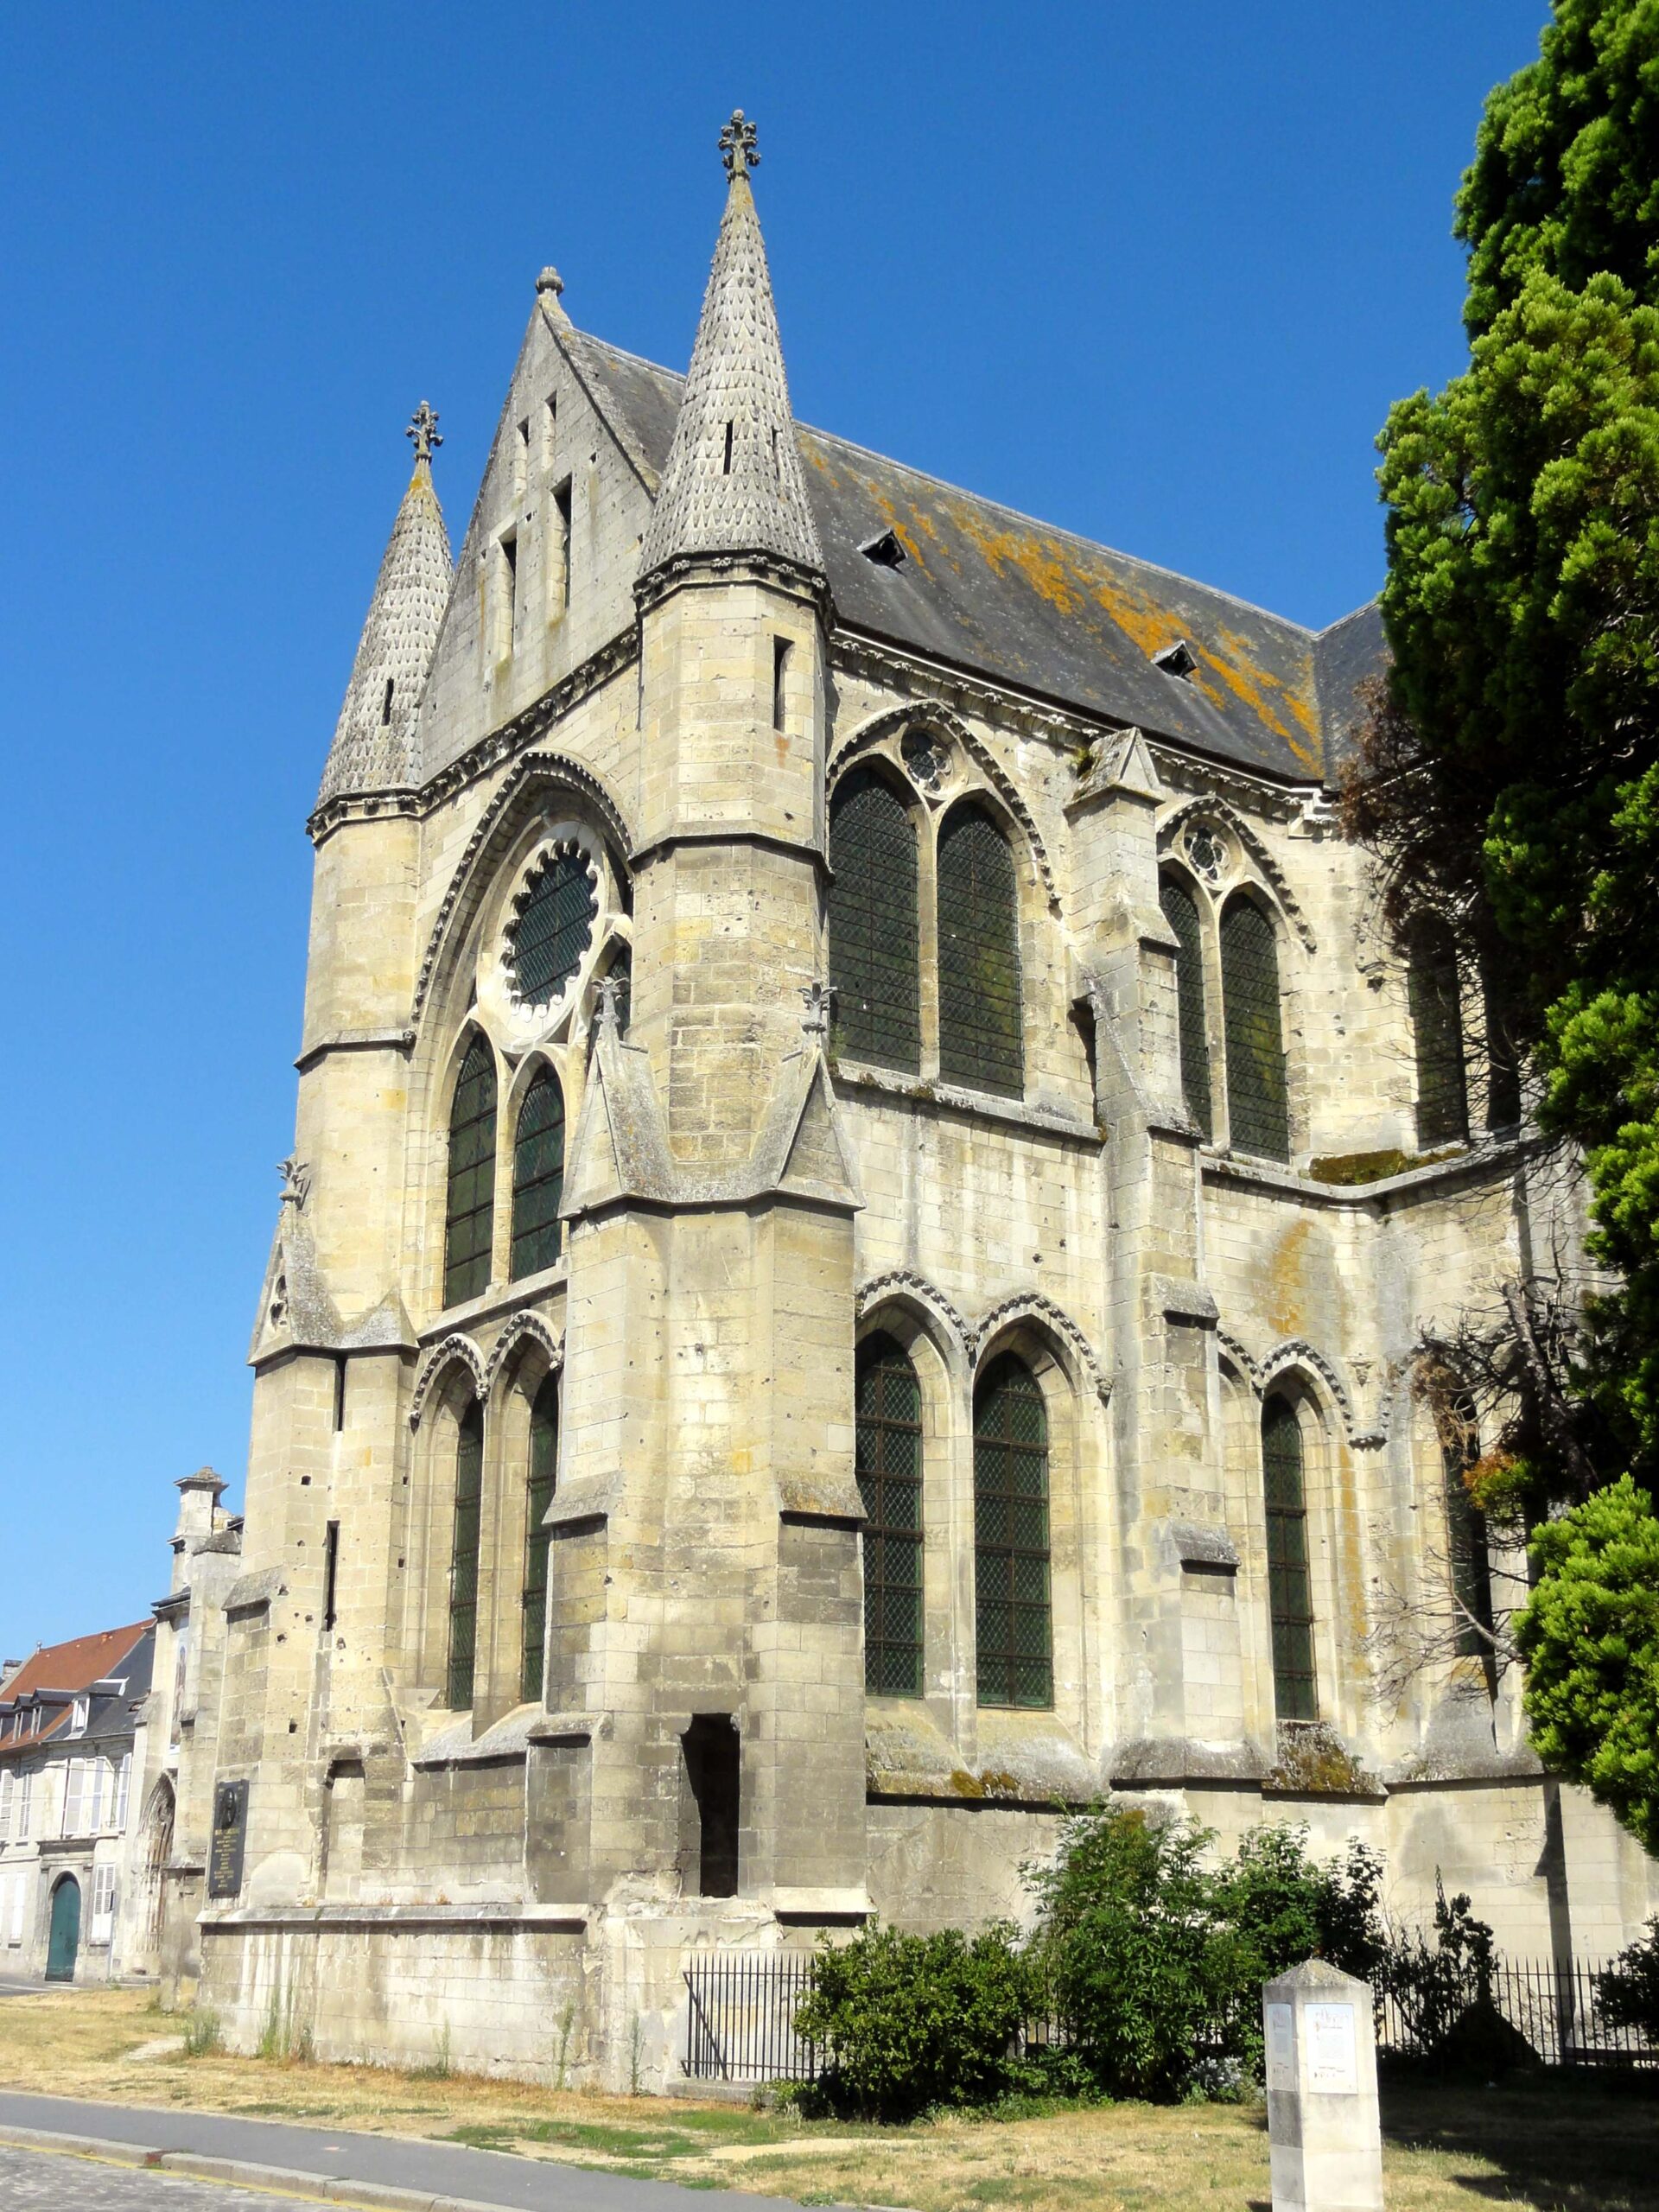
[[1322, 2091]]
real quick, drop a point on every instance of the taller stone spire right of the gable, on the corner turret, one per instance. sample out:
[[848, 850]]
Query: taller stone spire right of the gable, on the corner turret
[[733, 481]]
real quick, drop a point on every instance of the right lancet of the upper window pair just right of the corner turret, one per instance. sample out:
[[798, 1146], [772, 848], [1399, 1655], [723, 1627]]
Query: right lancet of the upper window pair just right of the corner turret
[[979, 957]]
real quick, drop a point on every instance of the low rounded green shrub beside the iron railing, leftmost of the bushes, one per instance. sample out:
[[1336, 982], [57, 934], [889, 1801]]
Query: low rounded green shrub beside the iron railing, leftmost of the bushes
[[919, 2021]]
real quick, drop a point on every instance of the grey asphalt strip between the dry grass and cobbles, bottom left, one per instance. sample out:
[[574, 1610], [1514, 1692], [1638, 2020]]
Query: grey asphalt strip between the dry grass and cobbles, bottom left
[[488, 2178]]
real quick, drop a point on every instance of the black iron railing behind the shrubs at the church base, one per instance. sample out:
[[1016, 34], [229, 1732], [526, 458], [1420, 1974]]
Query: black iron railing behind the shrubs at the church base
[[740, 2018]]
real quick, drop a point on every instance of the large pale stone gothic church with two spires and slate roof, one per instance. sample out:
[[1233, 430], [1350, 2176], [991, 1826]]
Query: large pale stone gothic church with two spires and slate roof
[[824, 1308]]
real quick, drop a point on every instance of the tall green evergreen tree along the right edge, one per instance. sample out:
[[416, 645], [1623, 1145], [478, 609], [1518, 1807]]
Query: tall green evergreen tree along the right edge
[[1514, 766]]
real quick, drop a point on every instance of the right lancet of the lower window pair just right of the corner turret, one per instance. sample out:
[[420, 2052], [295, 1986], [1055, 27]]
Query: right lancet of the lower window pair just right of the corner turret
[[1012, 1605]]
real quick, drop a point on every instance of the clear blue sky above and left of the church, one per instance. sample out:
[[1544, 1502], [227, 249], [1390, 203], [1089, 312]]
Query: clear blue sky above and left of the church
[[1147, 273]]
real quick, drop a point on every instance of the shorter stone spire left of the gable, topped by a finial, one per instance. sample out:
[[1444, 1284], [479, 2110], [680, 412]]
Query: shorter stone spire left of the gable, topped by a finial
[[375, 738]]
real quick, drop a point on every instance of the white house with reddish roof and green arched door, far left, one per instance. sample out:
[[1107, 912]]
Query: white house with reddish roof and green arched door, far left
[[72, 1738]]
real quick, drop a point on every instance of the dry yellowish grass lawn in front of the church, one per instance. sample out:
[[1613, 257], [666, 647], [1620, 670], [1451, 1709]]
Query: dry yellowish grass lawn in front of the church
[[1554, 2147]]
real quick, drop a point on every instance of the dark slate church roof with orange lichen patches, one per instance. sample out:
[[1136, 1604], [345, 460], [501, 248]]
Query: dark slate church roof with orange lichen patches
[[1019, 601]]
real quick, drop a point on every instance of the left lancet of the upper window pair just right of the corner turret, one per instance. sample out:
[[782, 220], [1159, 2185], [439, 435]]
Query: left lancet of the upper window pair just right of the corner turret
[[875, 948]]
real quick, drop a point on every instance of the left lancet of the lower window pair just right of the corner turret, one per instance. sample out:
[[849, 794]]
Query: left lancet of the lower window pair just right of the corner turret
[[890, 1483]]
